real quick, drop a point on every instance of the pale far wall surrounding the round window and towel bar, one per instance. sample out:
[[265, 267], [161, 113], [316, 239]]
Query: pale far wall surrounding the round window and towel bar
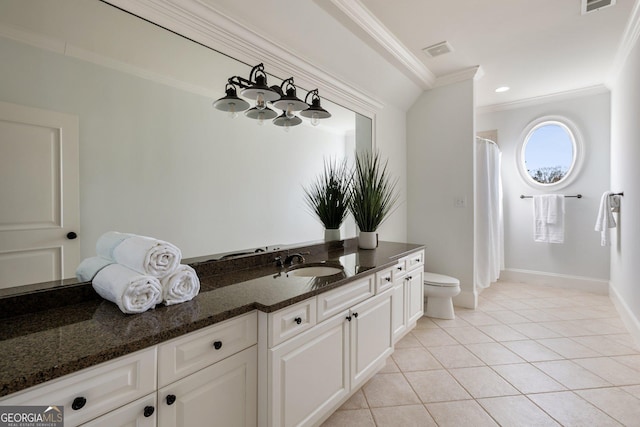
[[581, 255]]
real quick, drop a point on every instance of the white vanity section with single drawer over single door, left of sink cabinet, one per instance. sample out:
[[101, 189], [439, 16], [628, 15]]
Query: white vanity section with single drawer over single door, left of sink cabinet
[[209, 377]]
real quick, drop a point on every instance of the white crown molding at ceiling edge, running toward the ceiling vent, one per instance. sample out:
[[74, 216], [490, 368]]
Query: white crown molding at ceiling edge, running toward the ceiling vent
[[363, 18]]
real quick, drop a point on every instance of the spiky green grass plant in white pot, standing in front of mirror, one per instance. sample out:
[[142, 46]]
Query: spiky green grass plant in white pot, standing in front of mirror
[[373, 197]]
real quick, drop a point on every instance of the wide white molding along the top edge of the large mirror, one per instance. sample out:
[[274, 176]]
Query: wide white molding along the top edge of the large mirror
[[200, 22]]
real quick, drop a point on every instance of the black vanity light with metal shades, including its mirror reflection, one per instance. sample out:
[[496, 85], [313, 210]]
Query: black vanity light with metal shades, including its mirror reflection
[[281, 97]]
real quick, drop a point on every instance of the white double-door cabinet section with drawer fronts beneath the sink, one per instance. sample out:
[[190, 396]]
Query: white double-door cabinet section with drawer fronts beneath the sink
[[311, 373]]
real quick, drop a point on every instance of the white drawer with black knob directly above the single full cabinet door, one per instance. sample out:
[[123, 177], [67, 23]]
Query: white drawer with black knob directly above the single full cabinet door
[[187, 354]]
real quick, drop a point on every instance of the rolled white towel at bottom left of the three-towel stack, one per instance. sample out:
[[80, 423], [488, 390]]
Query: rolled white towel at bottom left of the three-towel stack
[[131, 291]]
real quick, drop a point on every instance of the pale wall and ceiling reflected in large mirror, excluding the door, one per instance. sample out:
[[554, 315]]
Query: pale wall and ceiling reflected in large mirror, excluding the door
[[155, 158]]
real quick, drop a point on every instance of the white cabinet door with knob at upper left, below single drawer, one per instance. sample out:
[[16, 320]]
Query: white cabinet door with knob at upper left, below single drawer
[[223, 394]]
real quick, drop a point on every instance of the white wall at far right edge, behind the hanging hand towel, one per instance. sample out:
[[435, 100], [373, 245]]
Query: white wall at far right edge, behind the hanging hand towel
[[625, 176]]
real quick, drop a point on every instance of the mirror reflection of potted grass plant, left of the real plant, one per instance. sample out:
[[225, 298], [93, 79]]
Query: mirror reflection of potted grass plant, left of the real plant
[[328, 197]]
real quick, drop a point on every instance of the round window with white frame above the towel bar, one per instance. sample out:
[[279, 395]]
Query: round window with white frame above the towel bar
[[550, 153]]
